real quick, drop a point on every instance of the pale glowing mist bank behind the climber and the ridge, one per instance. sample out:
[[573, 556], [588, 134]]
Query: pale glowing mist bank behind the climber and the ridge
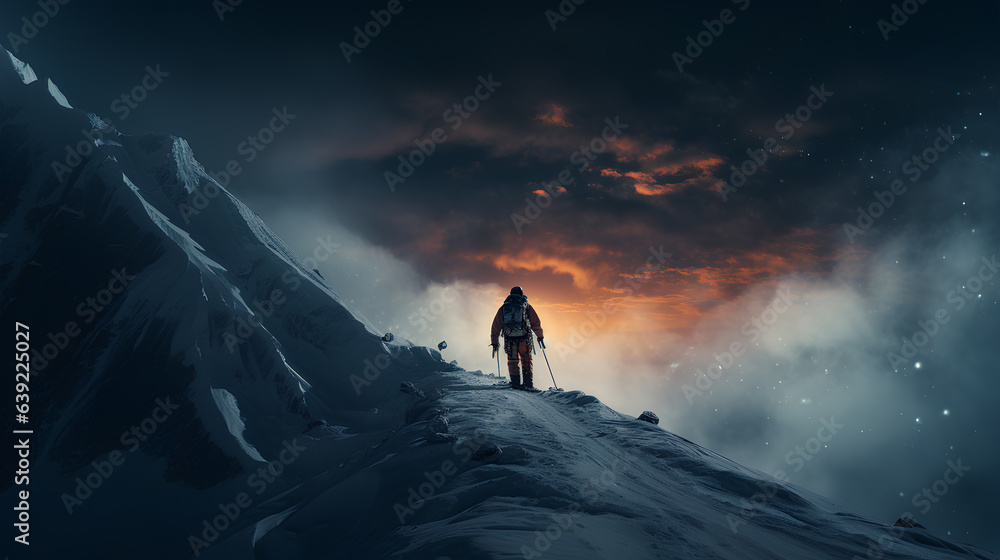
[[808, 377]]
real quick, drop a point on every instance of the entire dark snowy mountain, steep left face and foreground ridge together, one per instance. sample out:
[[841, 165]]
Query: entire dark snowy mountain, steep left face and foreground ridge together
[[219, 400]]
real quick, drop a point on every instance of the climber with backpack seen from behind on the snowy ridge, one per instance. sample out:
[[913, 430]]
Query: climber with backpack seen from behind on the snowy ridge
[[516, 319]]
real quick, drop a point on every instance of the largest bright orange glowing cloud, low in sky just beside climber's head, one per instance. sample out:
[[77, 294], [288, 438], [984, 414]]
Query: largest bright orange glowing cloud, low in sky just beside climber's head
[[572, 274]]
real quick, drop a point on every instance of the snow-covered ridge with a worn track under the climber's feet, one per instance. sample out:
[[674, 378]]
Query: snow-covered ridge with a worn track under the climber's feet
[[575, 479]]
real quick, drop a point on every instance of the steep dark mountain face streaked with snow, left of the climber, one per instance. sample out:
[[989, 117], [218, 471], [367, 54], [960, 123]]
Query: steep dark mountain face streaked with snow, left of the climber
[[144, 283]]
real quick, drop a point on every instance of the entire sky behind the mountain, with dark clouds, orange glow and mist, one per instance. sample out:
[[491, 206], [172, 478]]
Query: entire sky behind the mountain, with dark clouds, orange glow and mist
[[773, 225]]
